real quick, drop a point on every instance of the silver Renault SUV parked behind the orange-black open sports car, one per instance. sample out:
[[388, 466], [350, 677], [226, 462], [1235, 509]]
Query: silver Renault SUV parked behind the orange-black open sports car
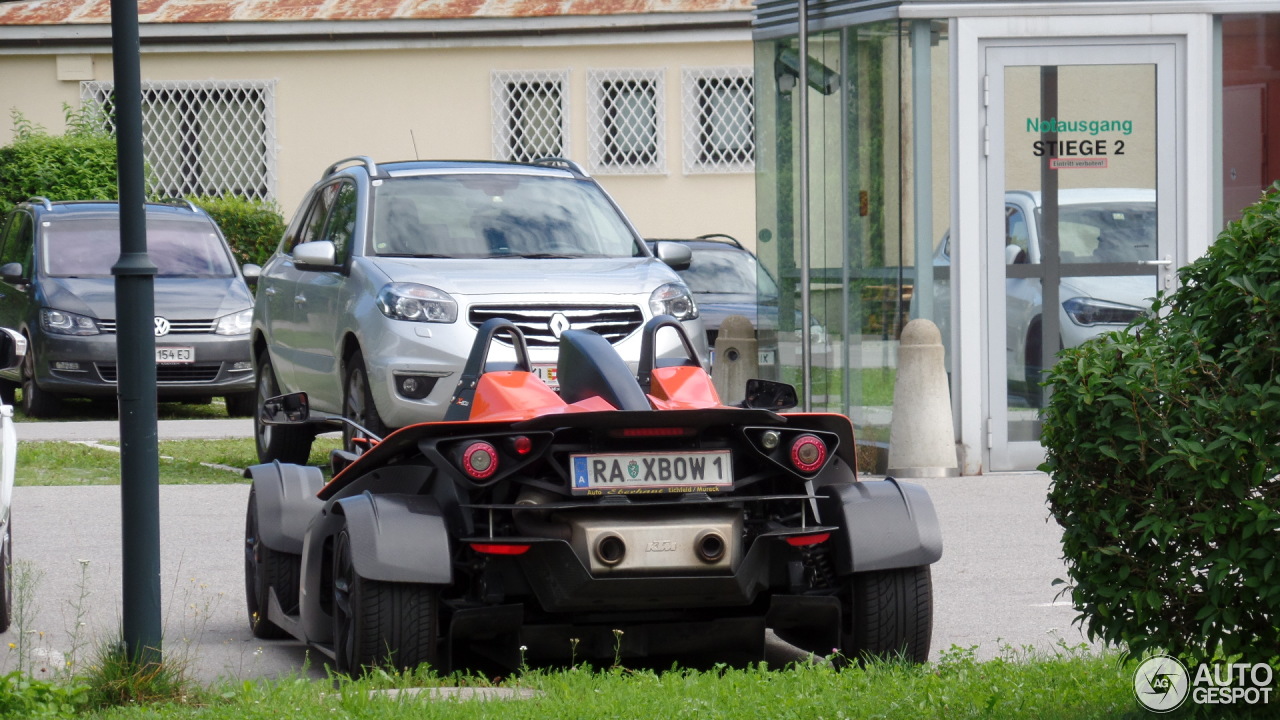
[[373, 300]]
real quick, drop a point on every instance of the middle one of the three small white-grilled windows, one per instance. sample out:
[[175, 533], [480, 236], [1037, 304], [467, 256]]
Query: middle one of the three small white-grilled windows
[[605, 154]]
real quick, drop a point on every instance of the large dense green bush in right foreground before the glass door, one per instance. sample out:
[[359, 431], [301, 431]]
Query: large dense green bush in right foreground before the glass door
[[1164, 448]]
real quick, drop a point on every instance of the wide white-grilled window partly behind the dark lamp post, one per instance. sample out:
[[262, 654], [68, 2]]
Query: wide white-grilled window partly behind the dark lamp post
[[211, 138]]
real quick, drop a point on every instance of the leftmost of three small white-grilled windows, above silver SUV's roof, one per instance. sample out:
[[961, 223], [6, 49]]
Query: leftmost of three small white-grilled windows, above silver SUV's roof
[[508, 126]]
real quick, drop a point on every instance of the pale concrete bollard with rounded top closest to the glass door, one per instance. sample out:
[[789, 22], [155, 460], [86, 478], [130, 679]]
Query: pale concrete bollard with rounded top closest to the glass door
[[922, 438]]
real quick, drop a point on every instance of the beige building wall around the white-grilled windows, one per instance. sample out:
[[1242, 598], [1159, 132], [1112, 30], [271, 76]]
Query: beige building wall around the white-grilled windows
[[433, 103]]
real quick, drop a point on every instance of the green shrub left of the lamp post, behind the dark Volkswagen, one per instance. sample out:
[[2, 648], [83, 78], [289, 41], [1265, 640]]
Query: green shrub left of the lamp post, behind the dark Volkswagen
[[76, 166]]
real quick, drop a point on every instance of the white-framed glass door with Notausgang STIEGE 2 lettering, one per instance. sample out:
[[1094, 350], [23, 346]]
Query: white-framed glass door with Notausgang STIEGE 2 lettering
[[1081, 217]]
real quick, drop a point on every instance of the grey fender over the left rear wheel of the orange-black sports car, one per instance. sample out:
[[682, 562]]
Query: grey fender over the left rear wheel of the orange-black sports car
[[399, 539]]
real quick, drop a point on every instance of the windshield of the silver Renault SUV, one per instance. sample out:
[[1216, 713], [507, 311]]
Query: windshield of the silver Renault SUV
[[499, 216]]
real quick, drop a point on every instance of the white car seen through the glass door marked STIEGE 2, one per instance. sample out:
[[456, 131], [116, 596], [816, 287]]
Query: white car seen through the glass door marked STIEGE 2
[[1096, 226]]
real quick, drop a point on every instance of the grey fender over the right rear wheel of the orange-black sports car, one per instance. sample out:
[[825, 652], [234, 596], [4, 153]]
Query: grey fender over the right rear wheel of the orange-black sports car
[[885, 525]]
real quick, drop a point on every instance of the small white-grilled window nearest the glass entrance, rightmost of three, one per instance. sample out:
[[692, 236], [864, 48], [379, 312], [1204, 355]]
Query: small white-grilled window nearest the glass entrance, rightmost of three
[[700, 153]]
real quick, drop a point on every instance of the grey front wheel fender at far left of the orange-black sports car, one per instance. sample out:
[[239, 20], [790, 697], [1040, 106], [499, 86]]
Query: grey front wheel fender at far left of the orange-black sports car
[[286, 503]]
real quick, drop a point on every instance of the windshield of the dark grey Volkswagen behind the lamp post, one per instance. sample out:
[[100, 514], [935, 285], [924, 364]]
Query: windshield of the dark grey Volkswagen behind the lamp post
[[89, 248]]
